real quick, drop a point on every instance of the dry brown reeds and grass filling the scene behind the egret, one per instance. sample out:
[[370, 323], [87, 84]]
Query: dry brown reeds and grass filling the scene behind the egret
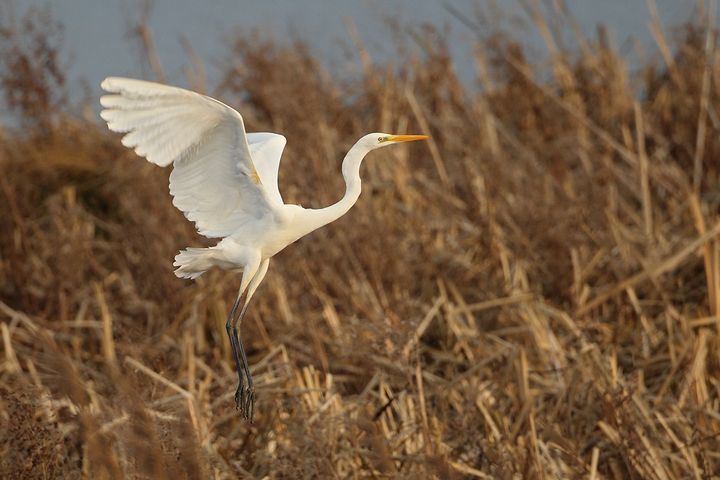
[[534, 294]]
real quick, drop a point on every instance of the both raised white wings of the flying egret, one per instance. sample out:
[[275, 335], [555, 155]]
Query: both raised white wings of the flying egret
[[214, 181]]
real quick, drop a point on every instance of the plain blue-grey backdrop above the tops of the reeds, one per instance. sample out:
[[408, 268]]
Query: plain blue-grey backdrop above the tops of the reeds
[[97, 45]]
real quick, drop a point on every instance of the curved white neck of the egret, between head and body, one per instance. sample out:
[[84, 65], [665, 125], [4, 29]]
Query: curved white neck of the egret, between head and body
[[351, 173]]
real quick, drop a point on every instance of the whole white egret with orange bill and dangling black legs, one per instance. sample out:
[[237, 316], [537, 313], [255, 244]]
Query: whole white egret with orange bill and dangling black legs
[[225, 180]]
